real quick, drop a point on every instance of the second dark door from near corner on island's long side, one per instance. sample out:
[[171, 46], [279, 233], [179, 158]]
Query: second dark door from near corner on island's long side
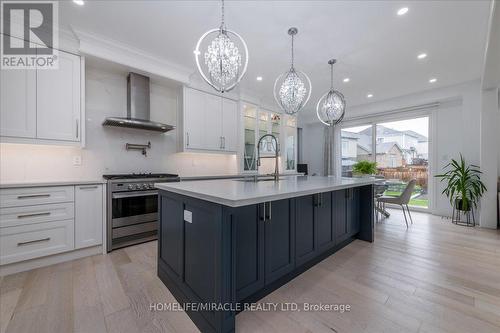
[[279, 239]]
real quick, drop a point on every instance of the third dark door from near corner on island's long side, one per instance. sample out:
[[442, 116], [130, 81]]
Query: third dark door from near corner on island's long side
[[305, 247]]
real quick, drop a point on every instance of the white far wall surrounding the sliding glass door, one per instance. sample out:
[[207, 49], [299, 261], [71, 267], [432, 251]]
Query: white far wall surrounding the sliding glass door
[[457, 129]]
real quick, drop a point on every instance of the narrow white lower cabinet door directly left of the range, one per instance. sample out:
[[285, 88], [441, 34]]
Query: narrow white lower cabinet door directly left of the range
[[88, 215]]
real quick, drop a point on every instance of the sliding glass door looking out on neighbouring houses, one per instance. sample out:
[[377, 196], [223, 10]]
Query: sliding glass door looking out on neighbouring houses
[[400, 149]]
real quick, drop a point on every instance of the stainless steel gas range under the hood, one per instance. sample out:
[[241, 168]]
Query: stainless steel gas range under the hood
[[132, 208]]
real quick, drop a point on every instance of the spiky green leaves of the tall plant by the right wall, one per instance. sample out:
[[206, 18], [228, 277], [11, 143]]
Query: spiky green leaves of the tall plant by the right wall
[[464, 187]]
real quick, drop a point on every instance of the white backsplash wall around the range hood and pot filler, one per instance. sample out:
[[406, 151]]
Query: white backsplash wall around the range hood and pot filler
[[105, 150]]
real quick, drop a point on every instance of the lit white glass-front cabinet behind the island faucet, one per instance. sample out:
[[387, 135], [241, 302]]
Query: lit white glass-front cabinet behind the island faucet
[[258, 122]]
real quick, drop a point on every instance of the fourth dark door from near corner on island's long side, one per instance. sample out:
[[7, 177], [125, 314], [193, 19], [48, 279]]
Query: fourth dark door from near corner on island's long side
[[325, 231]]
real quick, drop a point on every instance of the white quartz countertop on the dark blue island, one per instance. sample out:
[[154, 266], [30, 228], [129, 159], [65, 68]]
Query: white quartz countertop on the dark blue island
[[236, 193]]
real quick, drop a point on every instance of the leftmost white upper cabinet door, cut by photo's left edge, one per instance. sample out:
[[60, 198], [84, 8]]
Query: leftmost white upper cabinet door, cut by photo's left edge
[[18, 103]]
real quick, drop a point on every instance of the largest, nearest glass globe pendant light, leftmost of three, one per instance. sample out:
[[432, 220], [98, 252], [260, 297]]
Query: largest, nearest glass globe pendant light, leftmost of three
[[222, 64]]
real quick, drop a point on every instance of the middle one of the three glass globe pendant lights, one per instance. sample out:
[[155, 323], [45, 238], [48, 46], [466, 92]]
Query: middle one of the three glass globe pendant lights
[[292, 89]]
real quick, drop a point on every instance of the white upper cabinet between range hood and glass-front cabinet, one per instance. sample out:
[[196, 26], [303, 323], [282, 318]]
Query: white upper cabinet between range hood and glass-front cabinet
[[210, 122]]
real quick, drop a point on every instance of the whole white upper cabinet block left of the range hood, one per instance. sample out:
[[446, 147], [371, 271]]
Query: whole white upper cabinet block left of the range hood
[[42, 105]]
